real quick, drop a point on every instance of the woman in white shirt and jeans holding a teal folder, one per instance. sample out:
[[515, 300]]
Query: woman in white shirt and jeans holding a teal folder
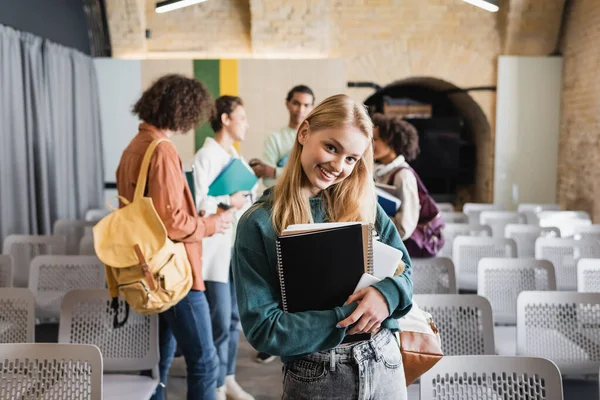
[[215, 165]]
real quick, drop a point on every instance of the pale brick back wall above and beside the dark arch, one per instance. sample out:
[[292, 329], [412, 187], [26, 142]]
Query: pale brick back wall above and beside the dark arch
[[380, 41]]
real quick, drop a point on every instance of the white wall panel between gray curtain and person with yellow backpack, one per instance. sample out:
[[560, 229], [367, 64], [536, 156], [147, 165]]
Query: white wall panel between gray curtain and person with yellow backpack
[[120, 86]]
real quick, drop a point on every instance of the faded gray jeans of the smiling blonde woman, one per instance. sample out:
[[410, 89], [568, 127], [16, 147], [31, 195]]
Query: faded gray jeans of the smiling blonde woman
[[371, 369]]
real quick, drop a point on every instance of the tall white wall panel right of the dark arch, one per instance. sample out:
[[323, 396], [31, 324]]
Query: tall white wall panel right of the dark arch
[[527, 130]]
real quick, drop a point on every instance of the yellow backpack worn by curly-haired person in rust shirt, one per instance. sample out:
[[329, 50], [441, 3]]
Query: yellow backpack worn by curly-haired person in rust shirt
[[143, 265]]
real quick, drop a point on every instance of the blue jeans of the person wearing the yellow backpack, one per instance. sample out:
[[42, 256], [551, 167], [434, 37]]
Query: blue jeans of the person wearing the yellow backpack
[[188, 324]]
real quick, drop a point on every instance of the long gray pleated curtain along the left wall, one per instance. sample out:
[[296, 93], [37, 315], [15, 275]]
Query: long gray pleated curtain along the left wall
[[50, 145]]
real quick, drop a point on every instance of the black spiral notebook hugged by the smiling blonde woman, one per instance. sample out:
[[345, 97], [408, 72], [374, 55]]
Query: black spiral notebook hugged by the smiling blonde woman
[[319, 269]]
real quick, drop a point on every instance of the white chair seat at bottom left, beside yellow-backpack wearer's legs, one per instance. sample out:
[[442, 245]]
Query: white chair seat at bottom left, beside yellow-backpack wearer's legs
[[128, 387]]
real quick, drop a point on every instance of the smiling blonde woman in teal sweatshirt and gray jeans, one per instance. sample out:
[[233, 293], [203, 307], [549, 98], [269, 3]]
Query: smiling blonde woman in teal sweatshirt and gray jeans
[[328, 178]]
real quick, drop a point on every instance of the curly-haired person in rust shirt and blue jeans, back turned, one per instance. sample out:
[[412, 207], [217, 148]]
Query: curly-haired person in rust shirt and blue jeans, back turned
[[173, 105]]
